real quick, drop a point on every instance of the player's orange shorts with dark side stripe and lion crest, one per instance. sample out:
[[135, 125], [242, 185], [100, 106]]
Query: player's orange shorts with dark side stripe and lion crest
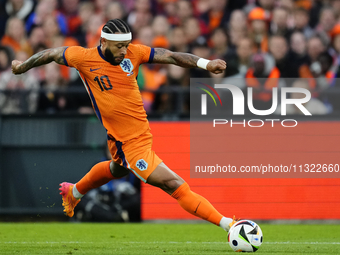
[[135, 154]]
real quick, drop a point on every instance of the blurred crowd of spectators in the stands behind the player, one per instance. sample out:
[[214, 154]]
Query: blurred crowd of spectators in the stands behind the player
[[258, 39]]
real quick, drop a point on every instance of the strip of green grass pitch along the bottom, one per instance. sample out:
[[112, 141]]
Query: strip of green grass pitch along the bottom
[[150, 238]]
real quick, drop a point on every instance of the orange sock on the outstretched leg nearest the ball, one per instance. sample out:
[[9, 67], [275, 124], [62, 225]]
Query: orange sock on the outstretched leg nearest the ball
[[196, 204]]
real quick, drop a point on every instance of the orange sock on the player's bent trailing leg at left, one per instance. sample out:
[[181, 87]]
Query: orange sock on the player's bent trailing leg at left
[[98, 176]]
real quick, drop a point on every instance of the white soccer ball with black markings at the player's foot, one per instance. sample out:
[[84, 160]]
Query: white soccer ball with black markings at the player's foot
[[245, 236]]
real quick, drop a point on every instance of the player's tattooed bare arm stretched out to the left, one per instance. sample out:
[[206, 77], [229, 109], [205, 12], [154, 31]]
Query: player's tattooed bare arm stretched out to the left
[[38, 59]]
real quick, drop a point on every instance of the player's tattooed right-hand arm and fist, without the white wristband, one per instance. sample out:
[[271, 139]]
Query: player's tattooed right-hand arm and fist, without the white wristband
[[163, 56]]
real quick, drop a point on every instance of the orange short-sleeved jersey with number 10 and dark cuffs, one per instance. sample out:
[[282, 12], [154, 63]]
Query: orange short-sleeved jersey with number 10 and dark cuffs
[[113, 90]]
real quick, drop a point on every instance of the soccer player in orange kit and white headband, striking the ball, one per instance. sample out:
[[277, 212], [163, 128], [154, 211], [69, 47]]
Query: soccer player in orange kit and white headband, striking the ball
[[109, 74]]
